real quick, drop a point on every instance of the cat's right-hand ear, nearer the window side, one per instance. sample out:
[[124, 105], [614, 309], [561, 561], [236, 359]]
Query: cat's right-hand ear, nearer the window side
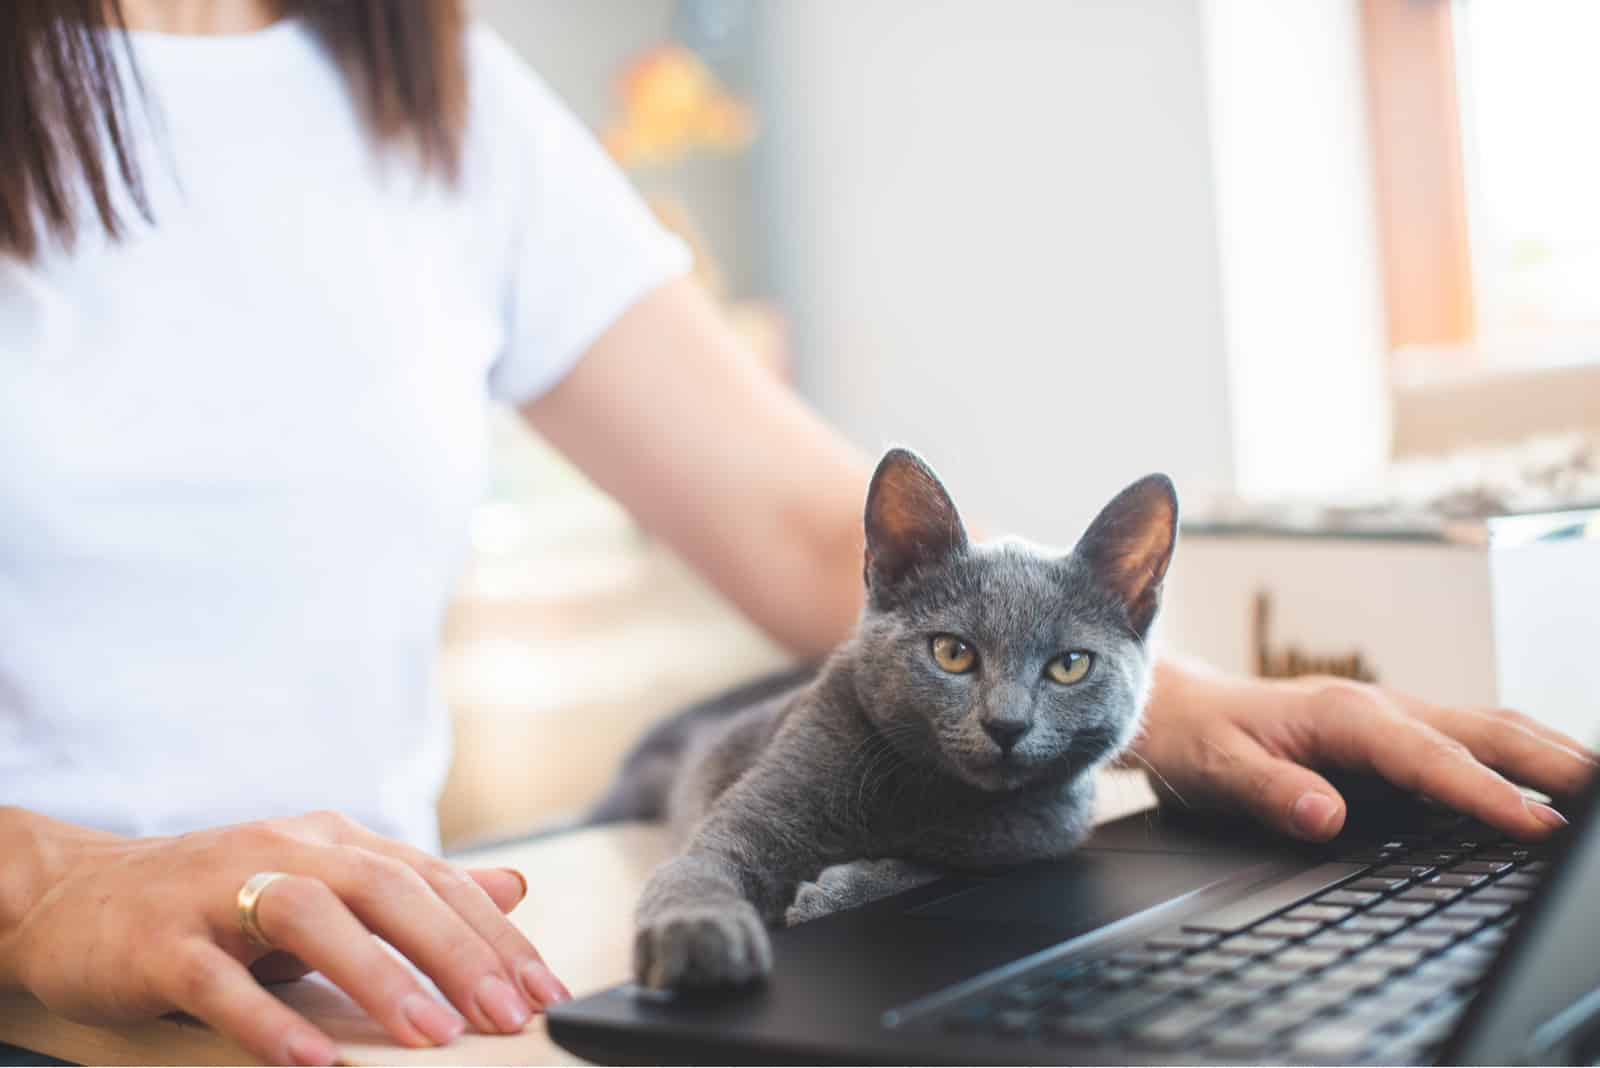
[[1130, 546]]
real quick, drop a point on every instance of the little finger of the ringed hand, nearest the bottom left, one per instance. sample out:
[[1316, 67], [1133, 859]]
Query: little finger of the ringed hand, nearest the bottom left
[[210, 986]]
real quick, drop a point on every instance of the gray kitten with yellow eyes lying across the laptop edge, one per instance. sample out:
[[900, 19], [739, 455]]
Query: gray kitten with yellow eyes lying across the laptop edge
[[958, 730]]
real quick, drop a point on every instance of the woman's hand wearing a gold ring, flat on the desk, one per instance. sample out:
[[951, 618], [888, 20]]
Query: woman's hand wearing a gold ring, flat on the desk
[[137, 928]]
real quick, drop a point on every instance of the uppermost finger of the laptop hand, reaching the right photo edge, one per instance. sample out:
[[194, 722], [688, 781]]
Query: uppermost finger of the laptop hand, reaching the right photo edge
[[1514, 744]]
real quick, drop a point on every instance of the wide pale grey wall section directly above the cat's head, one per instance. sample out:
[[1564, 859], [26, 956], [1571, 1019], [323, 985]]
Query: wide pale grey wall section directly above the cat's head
[[996, 229]]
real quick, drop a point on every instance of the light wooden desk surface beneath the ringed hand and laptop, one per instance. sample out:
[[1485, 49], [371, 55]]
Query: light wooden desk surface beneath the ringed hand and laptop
[[582, 891]]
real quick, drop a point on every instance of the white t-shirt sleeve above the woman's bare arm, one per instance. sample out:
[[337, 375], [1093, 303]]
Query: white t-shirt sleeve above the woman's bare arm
[[583, 247]]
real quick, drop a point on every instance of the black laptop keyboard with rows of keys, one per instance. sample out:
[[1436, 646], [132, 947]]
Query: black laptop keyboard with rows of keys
[[1329, 966]]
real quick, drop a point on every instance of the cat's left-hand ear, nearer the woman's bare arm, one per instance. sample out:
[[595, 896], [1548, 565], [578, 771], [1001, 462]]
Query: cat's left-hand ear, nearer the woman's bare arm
[[911, 520]]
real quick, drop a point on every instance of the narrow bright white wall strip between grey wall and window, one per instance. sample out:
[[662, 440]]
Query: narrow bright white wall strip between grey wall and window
[[1303, 308]]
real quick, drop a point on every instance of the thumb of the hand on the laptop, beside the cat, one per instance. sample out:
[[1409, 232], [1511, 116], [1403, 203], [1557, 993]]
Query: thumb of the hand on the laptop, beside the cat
[[1281, 794]]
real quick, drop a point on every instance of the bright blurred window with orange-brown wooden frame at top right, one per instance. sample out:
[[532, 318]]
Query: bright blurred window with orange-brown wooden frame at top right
[[1487, 177]]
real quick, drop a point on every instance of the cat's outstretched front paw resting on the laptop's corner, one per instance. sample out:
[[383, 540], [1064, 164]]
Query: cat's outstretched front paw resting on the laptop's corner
[[703, 946]]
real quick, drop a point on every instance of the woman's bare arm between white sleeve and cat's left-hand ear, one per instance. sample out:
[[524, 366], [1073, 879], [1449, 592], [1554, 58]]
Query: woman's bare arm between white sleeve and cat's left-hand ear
[[670, 415]]
